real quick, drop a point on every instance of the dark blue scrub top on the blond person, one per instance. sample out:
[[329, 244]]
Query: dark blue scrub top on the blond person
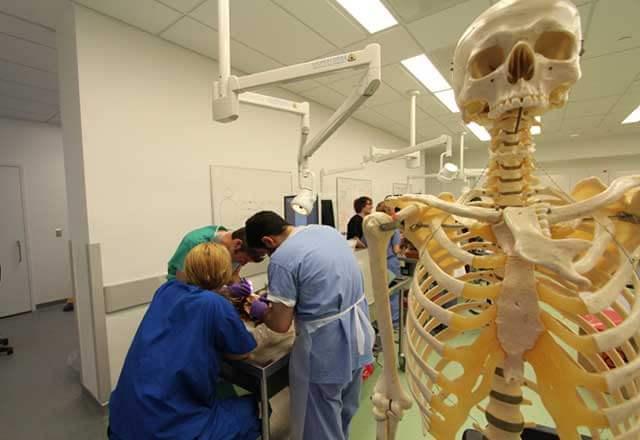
[[167, 386]]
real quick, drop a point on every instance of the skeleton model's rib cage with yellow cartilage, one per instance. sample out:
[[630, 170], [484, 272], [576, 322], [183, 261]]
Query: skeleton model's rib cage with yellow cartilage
[[431, 347]]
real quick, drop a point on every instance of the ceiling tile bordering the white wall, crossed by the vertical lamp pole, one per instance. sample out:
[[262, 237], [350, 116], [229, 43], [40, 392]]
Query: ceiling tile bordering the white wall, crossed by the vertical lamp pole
[[196, 36]]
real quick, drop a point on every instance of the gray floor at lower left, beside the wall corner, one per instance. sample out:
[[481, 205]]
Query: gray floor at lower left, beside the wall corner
[[40, 394]]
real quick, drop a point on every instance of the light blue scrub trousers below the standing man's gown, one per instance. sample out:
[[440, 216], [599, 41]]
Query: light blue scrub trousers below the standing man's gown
[[330, 408]]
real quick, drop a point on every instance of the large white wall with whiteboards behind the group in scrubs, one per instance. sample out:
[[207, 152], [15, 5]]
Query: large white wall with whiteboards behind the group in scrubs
[[148, 139]]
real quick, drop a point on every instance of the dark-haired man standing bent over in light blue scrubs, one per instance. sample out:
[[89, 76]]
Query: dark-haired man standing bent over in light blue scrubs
[[314, 277]]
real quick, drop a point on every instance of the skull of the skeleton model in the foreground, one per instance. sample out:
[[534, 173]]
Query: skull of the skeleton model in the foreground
[[518, 53]]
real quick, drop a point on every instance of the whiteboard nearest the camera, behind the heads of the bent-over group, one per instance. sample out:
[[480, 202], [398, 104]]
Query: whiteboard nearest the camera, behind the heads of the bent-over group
[[238, 193]]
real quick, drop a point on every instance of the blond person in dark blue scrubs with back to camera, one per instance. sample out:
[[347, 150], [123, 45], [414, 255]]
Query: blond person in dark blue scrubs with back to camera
[[167, 387]]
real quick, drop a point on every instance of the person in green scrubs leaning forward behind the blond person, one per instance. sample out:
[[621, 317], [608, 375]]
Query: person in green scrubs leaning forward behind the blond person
[[234, 241]]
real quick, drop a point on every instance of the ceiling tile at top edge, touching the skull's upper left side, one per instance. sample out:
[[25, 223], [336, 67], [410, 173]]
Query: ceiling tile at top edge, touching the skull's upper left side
[[445, 28]]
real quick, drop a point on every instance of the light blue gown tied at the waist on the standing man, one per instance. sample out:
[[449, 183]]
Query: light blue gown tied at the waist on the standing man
[[316, 272]]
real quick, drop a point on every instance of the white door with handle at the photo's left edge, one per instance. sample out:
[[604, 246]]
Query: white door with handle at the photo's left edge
[[14, 283]]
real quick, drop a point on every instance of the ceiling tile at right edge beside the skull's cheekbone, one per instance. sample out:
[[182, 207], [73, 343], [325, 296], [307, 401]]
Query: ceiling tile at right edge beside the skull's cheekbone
[[607, 75]]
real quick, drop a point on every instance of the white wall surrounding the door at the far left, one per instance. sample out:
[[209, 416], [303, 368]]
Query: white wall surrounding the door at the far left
[[37, 148]]
